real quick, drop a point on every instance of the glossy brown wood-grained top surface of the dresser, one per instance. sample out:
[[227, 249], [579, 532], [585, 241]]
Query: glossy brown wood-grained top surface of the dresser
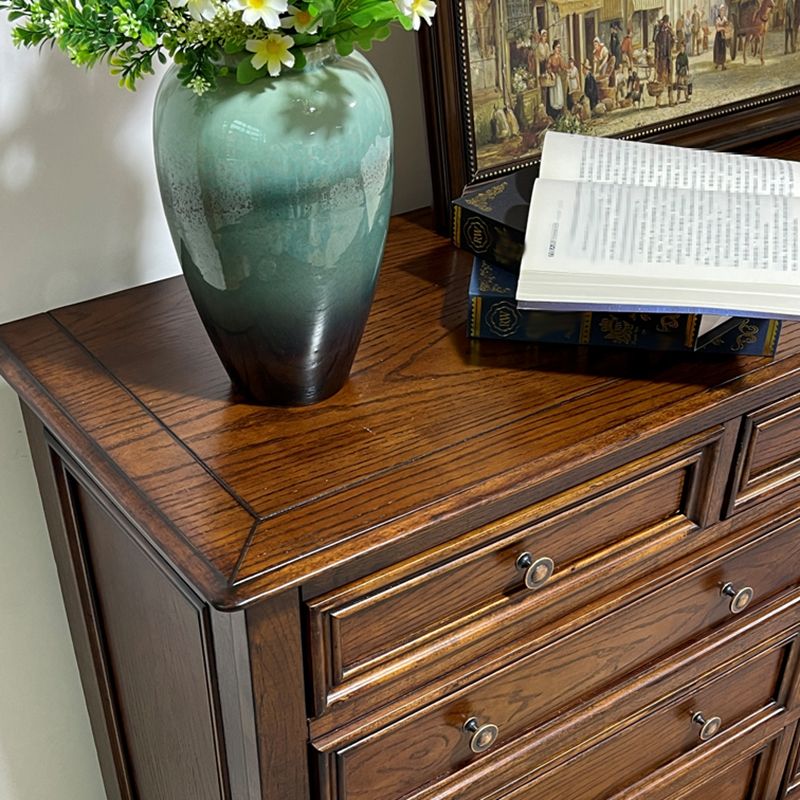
[[432, 435]]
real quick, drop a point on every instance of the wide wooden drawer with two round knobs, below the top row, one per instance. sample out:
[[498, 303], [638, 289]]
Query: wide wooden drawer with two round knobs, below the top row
[[424, 746]]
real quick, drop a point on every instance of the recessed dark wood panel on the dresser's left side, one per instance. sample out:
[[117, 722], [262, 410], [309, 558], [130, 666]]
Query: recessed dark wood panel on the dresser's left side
[[155, 637]]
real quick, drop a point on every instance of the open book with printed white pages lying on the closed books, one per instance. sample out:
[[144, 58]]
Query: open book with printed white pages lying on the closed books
[[630, 226]]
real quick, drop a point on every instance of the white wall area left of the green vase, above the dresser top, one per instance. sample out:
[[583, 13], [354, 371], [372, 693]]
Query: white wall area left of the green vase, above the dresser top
[[79, 207]]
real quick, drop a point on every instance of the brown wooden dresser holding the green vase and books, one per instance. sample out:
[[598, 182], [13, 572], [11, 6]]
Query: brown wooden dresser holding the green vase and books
[[482, 571]]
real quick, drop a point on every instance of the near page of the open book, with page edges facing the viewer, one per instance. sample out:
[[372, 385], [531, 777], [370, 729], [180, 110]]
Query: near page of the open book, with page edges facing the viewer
[[631, 245]]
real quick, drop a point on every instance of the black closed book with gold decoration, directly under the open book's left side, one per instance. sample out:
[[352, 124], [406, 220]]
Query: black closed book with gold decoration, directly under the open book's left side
[[489, 220]]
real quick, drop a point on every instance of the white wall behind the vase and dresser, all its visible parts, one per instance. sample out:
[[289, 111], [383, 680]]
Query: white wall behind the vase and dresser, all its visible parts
[[80, 216]]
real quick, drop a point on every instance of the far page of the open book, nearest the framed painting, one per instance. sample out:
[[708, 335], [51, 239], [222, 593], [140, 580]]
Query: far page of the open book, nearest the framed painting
[[573, 157]]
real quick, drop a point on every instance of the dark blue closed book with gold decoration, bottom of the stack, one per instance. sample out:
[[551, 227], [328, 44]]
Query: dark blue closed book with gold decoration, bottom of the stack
[[493, 314]]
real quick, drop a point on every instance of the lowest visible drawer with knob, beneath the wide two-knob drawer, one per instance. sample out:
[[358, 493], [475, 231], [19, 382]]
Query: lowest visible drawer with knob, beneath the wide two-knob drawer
[[660, 740]]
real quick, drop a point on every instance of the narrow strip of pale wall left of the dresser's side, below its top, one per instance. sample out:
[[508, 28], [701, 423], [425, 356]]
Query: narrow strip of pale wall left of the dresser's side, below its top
[[46, 749]]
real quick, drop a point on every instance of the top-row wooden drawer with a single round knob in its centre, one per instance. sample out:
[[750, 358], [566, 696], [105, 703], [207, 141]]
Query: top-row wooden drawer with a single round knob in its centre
[[650, 504]]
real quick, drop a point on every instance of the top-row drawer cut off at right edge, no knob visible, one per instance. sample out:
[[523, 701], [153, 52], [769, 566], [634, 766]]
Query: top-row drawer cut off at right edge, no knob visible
[[768, 460]]
